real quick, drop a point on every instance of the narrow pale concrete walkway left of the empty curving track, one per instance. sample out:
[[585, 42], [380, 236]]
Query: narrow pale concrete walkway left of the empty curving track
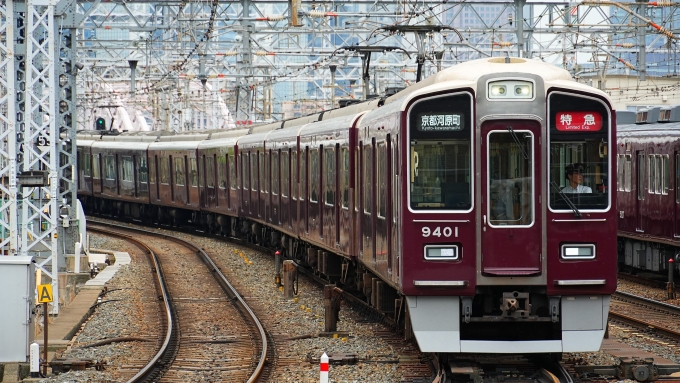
[[62, 328]]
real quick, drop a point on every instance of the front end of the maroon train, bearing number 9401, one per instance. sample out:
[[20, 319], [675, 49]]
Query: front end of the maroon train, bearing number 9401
[[508, 232]]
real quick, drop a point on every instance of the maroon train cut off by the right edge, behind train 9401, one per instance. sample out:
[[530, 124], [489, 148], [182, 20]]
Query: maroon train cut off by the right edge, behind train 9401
[[648, 156]]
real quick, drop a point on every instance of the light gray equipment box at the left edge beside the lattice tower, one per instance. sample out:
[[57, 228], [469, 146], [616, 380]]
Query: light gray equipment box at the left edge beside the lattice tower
[[17, 283]]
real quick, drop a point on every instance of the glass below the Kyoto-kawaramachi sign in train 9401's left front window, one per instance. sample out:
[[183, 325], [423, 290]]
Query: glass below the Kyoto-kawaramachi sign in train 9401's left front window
[[440, 175]]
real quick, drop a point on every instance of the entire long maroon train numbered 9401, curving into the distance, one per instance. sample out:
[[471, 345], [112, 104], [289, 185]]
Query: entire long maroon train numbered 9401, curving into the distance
[[443, 204]]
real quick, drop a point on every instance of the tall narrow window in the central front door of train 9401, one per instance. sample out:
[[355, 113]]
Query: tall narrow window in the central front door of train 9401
[[510, 182]]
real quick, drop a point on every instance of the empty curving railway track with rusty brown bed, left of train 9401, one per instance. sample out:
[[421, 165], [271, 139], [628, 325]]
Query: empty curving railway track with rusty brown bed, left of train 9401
[[209, 330]]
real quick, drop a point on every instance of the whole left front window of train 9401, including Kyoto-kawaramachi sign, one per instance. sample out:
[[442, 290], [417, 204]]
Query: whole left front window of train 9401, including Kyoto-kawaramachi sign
[[439, 154]]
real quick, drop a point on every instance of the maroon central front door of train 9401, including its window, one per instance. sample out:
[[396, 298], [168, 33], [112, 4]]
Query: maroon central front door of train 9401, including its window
[[511, 176]]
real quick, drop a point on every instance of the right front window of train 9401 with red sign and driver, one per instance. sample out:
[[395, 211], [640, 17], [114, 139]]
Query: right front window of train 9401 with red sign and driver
[[579, 163]]
